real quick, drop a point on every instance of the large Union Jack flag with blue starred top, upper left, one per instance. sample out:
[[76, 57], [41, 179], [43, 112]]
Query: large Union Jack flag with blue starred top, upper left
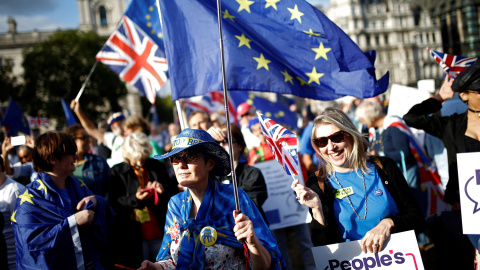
[[135, 49]]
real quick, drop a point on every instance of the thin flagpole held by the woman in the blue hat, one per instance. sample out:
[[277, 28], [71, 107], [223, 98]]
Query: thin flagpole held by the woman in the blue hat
[[227, 113]]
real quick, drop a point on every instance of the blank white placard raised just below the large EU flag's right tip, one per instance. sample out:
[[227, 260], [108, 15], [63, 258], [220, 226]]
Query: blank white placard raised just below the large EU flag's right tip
[[403, 98]]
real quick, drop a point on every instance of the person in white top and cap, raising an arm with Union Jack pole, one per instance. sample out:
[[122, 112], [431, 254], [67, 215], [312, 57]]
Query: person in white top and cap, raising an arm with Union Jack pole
[[112, 140]]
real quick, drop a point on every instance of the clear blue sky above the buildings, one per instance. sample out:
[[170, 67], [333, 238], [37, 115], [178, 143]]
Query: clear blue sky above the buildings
[[50, 14]]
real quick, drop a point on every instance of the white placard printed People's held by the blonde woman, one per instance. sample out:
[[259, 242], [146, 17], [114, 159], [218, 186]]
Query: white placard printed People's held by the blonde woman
[[400, 253]]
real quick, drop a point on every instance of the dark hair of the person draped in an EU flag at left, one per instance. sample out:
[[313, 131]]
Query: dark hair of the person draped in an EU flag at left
[[51, 145]]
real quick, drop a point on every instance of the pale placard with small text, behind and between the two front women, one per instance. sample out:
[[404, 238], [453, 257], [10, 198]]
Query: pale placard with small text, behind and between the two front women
[[281, 208]]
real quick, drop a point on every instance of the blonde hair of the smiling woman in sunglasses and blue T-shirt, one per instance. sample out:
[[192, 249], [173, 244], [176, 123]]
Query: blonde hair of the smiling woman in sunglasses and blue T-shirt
[[358, 156]]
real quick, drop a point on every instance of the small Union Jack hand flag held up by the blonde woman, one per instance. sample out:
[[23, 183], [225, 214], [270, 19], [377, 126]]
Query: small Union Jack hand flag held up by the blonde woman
[[284, 144]]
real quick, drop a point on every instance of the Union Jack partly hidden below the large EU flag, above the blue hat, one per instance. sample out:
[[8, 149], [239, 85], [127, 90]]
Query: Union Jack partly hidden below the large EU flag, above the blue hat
[[212, 102]]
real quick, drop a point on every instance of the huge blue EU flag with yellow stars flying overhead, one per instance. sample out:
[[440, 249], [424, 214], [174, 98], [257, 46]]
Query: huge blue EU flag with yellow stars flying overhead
[[282, 46]]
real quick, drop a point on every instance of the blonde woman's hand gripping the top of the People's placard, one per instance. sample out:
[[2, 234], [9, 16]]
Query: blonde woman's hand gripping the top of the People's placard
[[376, 237]]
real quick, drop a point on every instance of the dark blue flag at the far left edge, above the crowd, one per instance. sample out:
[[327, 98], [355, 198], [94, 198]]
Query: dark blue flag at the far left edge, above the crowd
[[14, 120]]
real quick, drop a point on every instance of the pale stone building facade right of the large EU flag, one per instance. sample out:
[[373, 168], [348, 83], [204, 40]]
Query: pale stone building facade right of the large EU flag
[[398, 33]]
